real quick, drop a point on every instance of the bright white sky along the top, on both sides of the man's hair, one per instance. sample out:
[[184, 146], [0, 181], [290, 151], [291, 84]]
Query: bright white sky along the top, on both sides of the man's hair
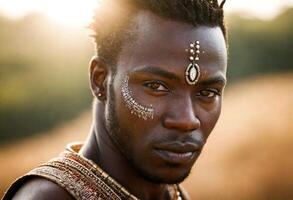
[[79, 12]]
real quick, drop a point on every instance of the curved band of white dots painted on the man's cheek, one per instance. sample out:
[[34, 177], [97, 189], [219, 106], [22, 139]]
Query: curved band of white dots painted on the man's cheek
[[135, 108]]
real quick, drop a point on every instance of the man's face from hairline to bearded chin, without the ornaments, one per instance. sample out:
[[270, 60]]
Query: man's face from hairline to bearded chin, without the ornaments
[[164, 149]]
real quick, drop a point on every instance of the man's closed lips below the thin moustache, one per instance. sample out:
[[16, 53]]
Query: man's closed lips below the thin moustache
[[178, 153]]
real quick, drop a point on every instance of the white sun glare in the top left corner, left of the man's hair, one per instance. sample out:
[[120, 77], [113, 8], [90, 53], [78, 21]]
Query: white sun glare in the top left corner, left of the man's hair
[[68, 12]]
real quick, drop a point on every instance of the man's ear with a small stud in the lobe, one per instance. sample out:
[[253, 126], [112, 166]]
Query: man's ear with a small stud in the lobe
[[98, 78]]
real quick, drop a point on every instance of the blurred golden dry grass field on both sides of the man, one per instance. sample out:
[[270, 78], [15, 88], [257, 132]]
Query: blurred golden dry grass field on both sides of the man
[[248, 156]]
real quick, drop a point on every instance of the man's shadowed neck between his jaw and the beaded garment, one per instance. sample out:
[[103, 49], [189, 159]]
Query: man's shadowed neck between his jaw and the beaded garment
[[100, 149]]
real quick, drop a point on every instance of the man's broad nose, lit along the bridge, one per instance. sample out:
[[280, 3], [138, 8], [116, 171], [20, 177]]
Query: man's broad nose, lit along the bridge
[[181, 116]]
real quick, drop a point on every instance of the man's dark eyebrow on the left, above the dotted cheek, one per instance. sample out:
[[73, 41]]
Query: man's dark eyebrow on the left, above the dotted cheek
[[157, 71]]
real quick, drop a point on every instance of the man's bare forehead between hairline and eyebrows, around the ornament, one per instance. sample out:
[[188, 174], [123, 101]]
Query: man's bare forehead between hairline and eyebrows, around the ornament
[[161, 42]]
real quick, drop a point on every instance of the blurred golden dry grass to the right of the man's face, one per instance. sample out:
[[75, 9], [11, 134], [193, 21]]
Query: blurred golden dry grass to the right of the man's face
[[249, 155]]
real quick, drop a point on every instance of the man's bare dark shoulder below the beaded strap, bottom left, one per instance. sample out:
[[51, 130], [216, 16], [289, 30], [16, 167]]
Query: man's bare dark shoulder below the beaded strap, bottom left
[[41, 189]]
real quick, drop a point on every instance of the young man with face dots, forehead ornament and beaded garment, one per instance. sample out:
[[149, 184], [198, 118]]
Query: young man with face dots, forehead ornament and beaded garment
[[158, 80]]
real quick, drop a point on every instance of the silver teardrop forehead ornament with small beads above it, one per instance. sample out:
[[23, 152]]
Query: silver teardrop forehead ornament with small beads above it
[[192, 72]]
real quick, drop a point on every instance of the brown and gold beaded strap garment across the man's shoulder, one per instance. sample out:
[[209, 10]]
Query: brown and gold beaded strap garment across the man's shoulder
[[81, 177]]
